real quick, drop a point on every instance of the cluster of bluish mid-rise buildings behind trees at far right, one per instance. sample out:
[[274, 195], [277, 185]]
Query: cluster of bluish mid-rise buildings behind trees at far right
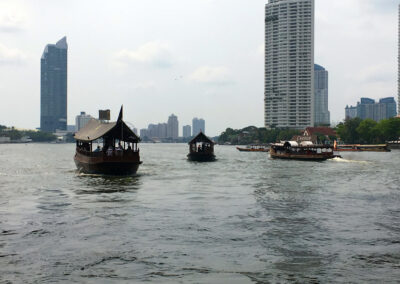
[[368, 108]]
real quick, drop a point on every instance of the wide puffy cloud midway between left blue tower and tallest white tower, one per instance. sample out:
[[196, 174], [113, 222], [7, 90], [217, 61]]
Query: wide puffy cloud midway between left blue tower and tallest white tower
[[153, 53]]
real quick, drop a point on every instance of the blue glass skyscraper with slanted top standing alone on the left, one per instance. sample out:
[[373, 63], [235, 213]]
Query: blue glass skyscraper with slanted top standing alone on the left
[[53, 87]]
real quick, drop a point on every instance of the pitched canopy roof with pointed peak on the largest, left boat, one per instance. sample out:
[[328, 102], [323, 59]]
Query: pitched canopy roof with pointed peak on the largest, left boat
[[96, 129]]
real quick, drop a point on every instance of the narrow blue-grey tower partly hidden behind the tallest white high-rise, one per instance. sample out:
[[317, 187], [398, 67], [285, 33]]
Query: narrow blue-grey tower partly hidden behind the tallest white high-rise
[[321, 112]]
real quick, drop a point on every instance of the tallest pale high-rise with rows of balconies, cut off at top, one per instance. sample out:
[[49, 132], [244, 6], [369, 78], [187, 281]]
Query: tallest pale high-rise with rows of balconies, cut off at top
[[289, 63]]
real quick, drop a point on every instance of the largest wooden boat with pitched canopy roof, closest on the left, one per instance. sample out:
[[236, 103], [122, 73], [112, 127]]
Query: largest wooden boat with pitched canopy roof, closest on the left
[[119, 154]]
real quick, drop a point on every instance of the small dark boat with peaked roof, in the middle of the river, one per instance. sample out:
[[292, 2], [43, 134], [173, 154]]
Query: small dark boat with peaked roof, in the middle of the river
[[201, 149]]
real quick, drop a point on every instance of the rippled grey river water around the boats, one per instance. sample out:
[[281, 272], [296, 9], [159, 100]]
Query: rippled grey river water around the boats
[[242, 219]]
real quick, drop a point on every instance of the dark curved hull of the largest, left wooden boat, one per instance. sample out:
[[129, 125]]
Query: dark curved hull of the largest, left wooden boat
[[107, 165]]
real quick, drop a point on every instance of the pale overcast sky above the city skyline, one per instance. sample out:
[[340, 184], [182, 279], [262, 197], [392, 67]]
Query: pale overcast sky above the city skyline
[[193, 58]]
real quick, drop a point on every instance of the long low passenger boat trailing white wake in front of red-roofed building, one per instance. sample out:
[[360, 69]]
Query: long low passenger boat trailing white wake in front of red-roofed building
[[307, 152]]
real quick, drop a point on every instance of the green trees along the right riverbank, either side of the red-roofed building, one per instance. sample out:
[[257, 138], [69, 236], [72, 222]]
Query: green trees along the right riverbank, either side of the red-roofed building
[[352, 131]]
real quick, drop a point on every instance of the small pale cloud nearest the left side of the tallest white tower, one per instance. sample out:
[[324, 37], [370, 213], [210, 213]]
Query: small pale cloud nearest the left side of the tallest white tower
[[214, 75]]
